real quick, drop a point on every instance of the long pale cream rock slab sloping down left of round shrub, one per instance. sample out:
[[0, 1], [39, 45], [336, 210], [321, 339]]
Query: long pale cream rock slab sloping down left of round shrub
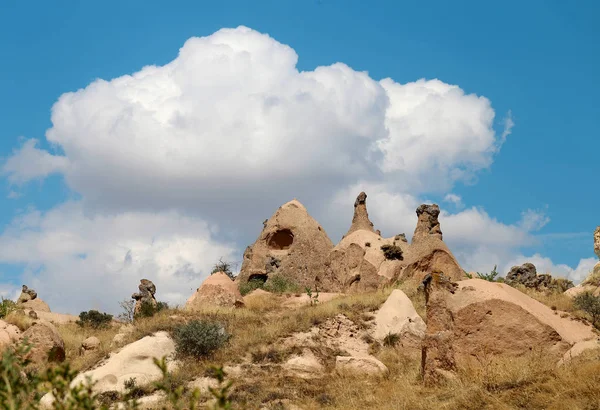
[[132, 361]]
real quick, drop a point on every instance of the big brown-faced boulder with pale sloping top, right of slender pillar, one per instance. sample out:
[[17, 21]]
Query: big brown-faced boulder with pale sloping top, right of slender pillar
[[498, 319]]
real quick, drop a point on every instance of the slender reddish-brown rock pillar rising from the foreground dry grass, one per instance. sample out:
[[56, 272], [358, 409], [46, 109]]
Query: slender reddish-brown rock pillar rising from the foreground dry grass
[[437, 353]]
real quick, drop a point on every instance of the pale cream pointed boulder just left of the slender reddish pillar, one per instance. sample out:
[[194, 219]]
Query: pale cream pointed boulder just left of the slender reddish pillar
[[398, 315]]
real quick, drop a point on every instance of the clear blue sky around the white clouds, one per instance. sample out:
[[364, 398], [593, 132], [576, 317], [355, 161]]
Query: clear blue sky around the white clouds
[[537, 60]]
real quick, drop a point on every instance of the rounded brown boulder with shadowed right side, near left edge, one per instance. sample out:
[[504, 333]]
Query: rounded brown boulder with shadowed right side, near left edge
[[47, 344]]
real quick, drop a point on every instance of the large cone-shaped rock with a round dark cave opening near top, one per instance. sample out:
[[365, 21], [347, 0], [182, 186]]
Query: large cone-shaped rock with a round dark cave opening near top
[[292, 246]]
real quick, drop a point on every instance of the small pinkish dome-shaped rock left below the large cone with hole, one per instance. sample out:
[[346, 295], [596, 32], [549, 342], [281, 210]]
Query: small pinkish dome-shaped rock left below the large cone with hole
[[218, 290]]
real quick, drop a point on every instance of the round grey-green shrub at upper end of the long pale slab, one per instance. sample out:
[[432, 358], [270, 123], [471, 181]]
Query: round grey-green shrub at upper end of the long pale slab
[[199, 338]]
